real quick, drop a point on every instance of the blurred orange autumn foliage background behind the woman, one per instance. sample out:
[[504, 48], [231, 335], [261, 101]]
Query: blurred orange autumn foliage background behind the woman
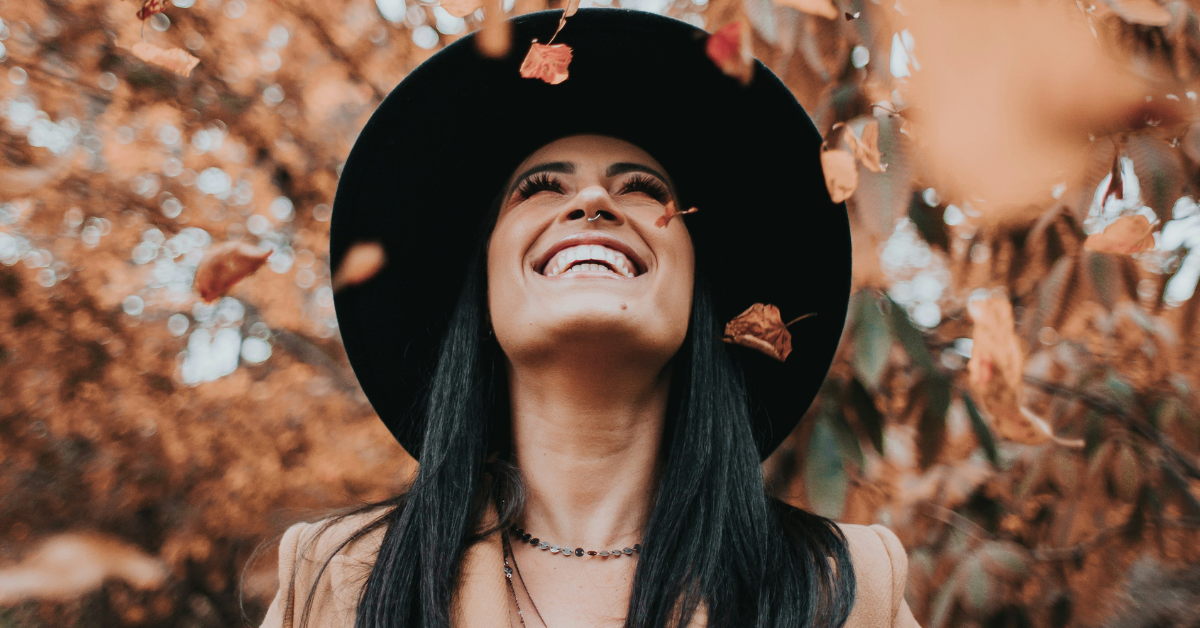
[[1015, 397]]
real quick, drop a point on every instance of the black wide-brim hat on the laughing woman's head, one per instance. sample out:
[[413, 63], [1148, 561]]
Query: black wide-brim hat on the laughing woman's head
[[427, 169]]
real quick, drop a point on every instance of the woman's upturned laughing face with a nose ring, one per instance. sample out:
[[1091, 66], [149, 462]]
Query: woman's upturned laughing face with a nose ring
[[577, 261]]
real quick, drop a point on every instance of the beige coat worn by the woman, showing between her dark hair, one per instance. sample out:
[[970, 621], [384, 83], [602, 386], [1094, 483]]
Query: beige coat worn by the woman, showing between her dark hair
[[483, 599]]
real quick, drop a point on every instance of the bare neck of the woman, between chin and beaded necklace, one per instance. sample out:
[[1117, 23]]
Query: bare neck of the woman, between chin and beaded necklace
[[587, 439]]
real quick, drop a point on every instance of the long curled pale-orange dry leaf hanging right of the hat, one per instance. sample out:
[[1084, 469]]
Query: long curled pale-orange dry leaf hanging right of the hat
[[995, 373]]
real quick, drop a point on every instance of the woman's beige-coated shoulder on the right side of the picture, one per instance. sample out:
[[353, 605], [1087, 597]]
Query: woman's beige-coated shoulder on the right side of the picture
[[881, 573]]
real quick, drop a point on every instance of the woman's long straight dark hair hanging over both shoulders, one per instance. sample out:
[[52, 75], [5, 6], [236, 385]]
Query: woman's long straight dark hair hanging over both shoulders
[[713, 536]]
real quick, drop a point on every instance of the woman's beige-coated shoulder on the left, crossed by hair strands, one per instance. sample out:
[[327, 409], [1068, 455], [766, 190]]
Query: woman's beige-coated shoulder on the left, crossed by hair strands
[[323, 566]]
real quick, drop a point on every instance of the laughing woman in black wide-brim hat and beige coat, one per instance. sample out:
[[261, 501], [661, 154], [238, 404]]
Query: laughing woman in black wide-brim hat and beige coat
[[547, 342]]
